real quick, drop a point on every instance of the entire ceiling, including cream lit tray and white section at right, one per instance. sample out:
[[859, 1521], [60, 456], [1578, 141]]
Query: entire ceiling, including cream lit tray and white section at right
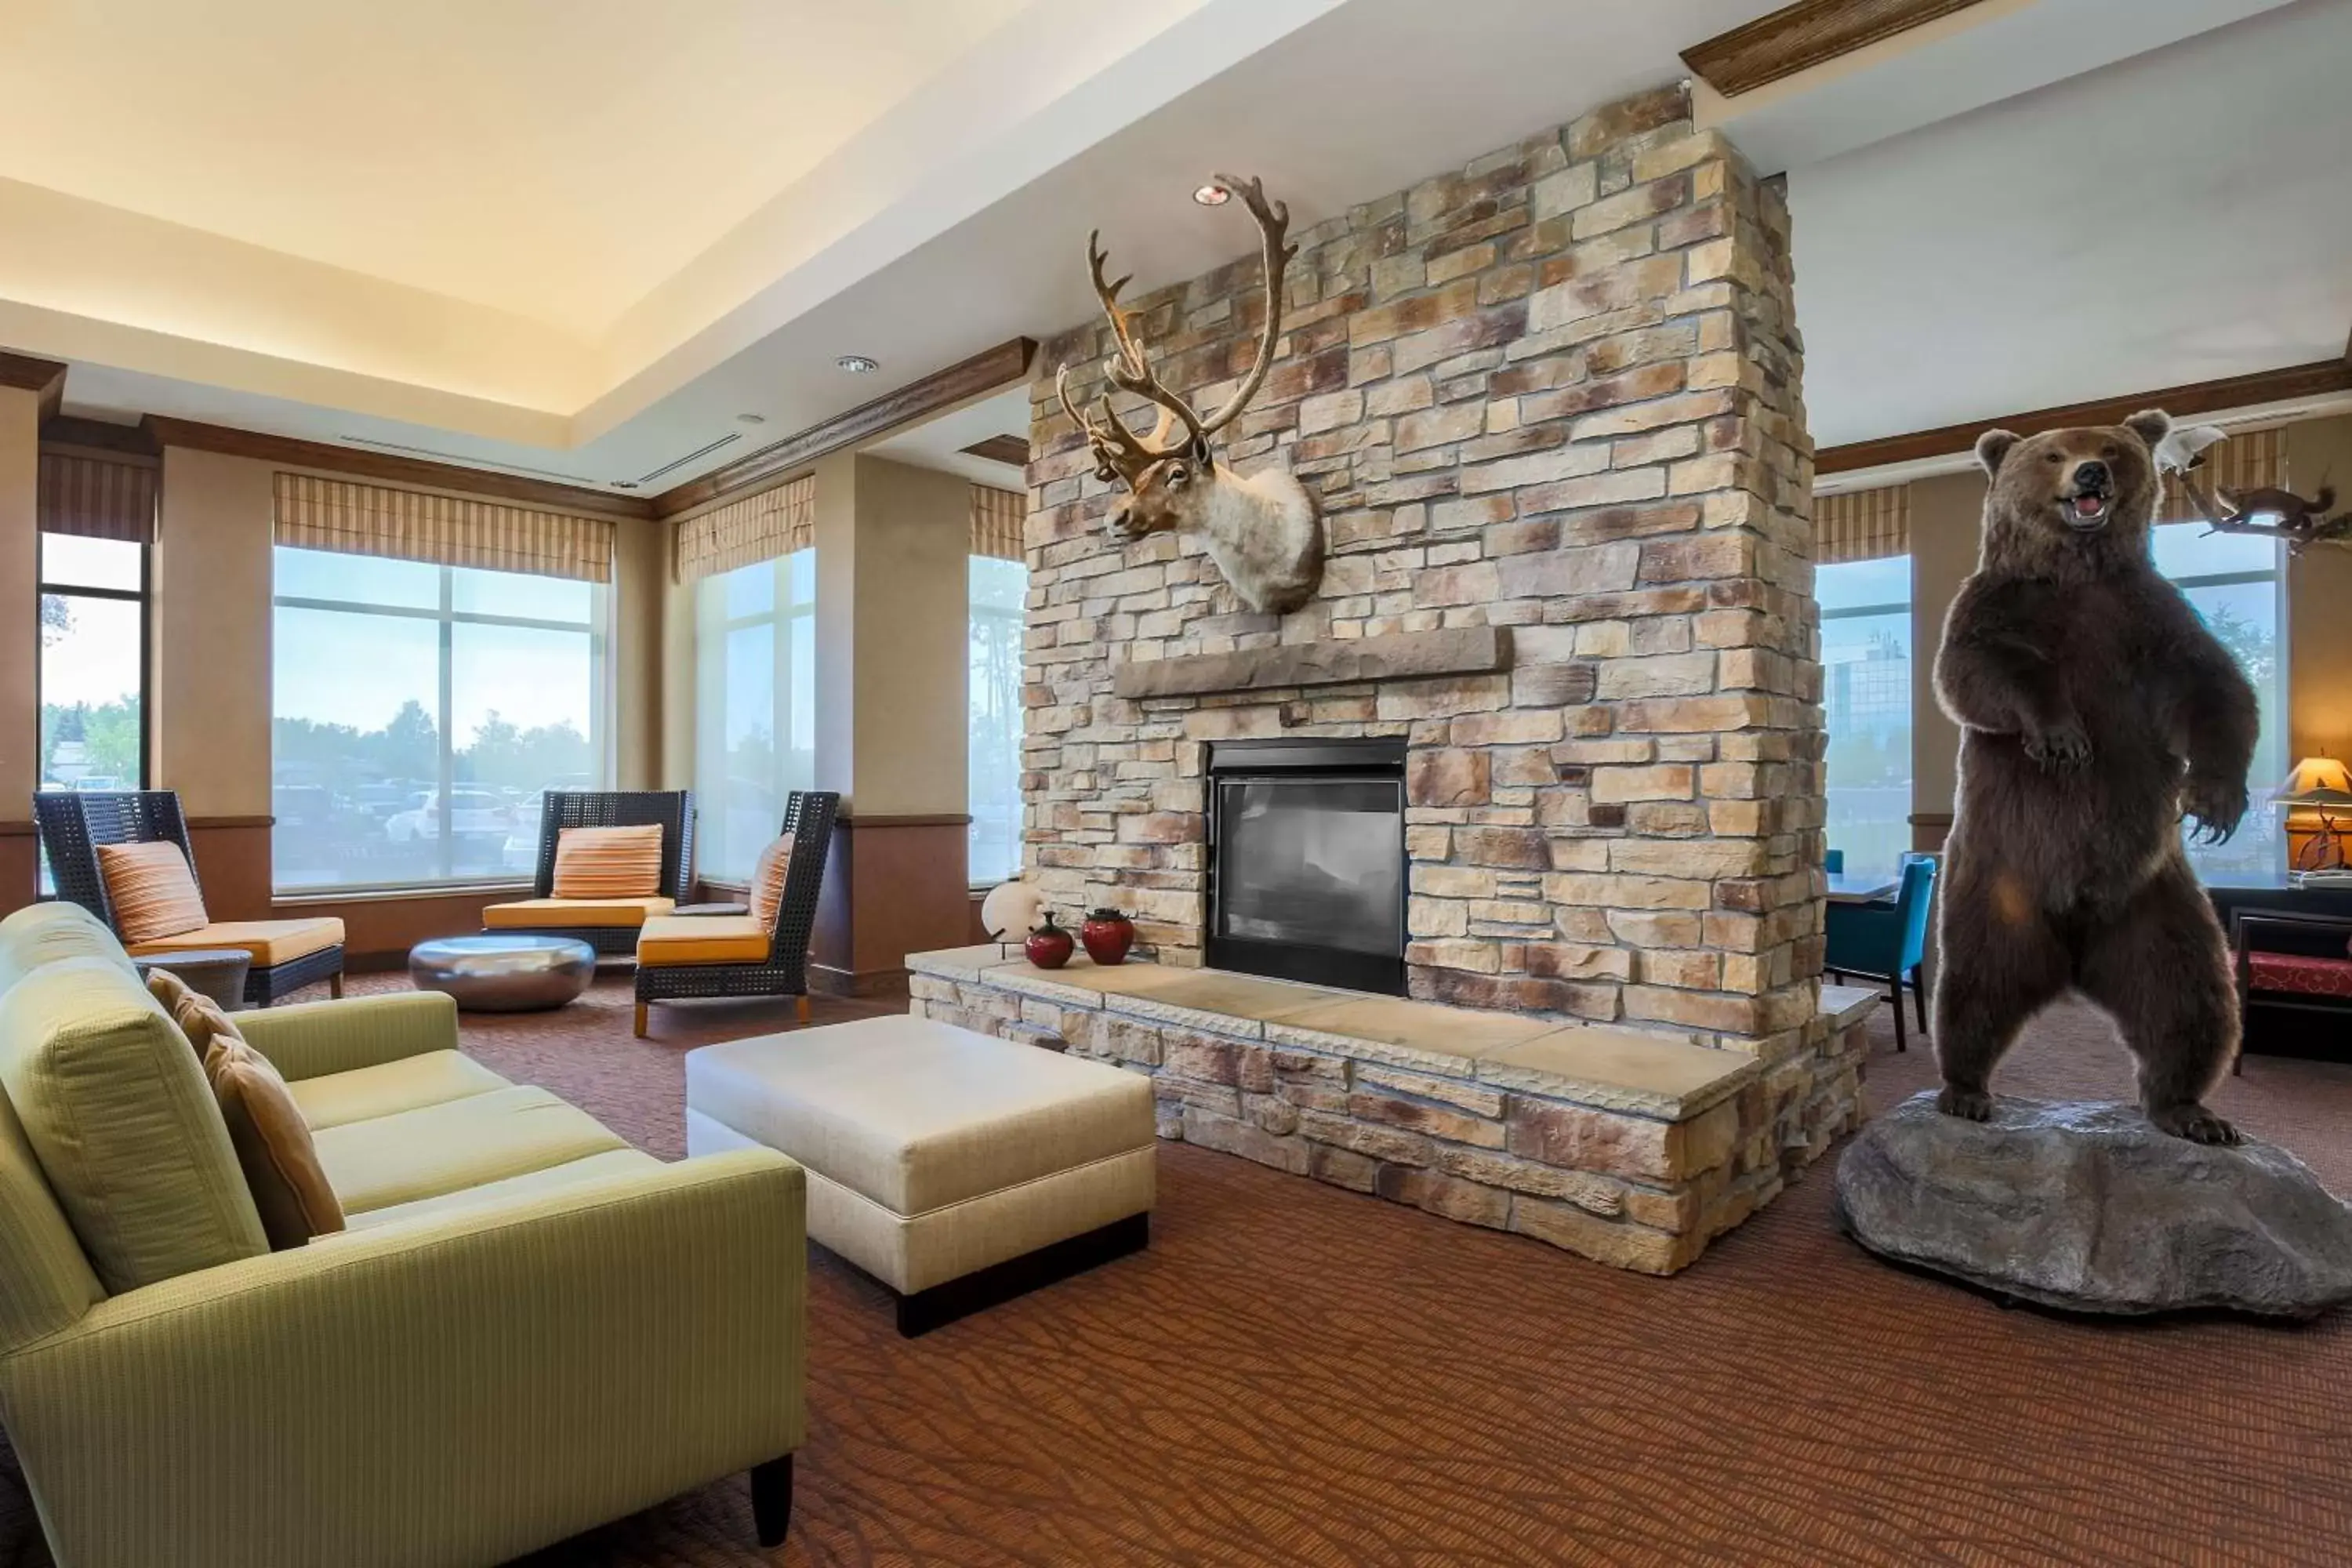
[[575, 272]]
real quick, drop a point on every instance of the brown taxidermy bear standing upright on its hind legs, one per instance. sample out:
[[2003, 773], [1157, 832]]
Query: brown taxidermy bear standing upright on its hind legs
[[2097, 711]]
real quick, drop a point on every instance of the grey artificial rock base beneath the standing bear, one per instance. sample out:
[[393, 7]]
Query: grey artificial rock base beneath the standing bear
[[2092, 1209]]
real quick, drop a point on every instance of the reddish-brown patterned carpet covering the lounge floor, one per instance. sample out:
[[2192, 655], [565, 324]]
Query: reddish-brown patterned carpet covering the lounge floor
[[1295, 1374]]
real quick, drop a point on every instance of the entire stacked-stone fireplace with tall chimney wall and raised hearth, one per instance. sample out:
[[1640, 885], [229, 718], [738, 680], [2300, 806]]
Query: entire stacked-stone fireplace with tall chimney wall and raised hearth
[[1551, 406]]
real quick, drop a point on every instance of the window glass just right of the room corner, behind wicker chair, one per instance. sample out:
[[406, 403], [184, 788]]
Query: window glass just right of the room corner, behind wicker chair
[[756, 706]]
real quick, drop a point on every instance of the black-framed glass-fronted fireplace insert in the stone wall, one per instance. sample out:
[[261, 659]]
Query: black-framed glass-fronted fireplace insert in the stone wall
[[1307, 862]]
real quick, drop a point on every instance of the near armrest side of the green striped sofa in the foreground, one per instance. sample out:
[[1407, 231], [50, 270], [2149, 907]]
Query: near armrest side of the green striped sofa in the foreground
[[450, 1388]]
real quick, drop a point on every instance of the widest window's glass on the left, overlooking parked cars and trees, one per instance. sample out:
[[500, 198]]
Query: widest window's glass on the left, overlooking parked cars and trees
[[422, 711]]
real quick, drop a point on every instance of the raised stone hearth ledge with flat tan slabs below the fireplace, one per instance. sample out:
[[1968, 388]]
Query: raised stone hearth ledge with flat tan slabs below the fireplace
[[1622, 1146]]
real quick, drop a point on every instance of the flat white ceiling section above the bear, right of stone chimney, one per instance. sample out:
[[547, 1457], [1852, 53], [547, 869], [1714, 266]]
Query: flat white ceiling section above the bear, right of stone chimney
[[2177, 217]]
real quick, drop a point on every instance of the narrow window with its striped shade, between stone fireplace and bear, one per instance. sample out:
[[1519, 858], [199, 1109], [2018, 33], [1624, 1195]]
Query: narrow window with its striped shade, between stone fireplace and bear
[[1864, 589]]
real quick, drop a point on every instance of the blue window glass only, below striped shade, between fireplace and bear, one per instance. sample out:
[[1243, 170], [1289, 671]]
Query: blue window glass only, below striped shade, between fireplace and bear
[[1866, 671]]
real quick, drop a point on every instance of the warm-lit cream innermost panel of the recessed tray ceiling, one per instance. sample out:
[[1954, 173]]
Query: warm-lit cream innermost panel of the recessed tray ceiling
[[554, 159]]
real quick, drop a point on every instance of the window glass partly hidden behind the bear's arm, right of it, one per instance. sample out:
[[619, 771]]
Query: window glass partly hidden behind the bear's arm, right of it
[[2236, 584]]
